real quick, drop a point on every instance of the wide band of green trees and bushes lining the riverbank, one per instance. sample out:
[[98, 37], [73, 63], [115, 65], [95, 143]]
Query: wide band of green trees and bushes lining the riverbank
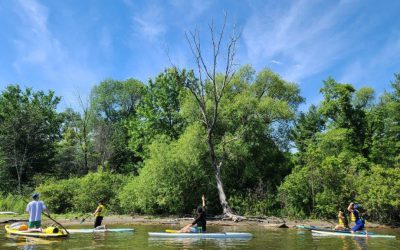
[[142, 148]]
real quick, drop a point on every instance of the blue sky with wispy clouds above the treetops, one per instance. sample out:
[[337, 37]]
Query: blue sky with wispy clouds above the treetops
[[69, 46]]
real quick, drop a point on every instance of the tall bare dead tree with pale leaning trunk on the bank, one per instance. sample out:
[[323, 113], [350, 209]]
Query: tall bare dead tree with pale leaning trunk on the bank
[[208, 91]]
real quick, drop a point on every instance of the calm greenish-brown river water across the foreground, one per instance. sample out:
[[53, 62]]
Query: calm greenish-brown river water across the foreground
[[263, 238]]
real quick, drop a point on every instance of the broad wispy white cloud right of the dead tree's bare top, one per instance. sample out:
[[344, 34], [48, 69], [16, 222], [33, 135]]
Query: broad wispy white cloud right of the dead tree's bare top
[[304, 36]]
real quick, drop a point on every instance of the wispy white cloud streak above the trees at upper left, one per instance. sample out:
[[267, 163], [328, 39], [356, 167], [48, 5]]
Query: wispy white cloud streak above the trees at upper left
[[40, 52]]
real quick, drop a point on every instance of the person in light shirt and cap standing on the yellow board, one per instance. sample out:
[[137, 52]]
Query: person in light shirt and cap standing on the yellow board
[[35, 209]]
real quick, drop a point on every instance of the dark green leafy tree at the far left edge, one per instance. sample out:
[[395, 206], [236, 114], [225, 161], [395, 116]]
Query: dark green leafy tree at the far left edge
[[29, 127]]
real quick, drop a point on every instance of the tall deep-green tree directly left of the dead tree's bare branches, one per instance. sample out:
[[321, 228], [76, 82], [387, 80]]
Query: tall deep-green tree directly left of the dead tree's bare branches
[[159, 112]]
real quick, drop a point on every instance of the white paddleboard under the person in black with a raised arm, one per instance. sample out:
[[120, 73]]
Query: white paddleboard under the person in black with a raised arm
[[201, 235]]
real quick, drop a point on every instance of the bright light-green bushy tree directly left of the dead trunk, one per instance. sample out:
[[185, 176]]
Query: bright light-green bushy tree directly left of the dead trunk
[[172, 177]]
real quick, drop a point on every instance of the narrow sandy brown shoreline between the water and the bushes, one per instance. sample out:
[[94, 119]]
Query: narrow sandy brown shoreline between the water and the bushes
[[268, 222]]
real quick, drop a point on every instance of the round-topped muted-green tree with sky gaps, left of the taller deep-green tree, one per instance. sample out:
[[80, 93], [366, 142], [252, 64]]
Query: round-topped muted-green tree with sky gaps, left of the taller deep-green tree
[[113, 104]]
